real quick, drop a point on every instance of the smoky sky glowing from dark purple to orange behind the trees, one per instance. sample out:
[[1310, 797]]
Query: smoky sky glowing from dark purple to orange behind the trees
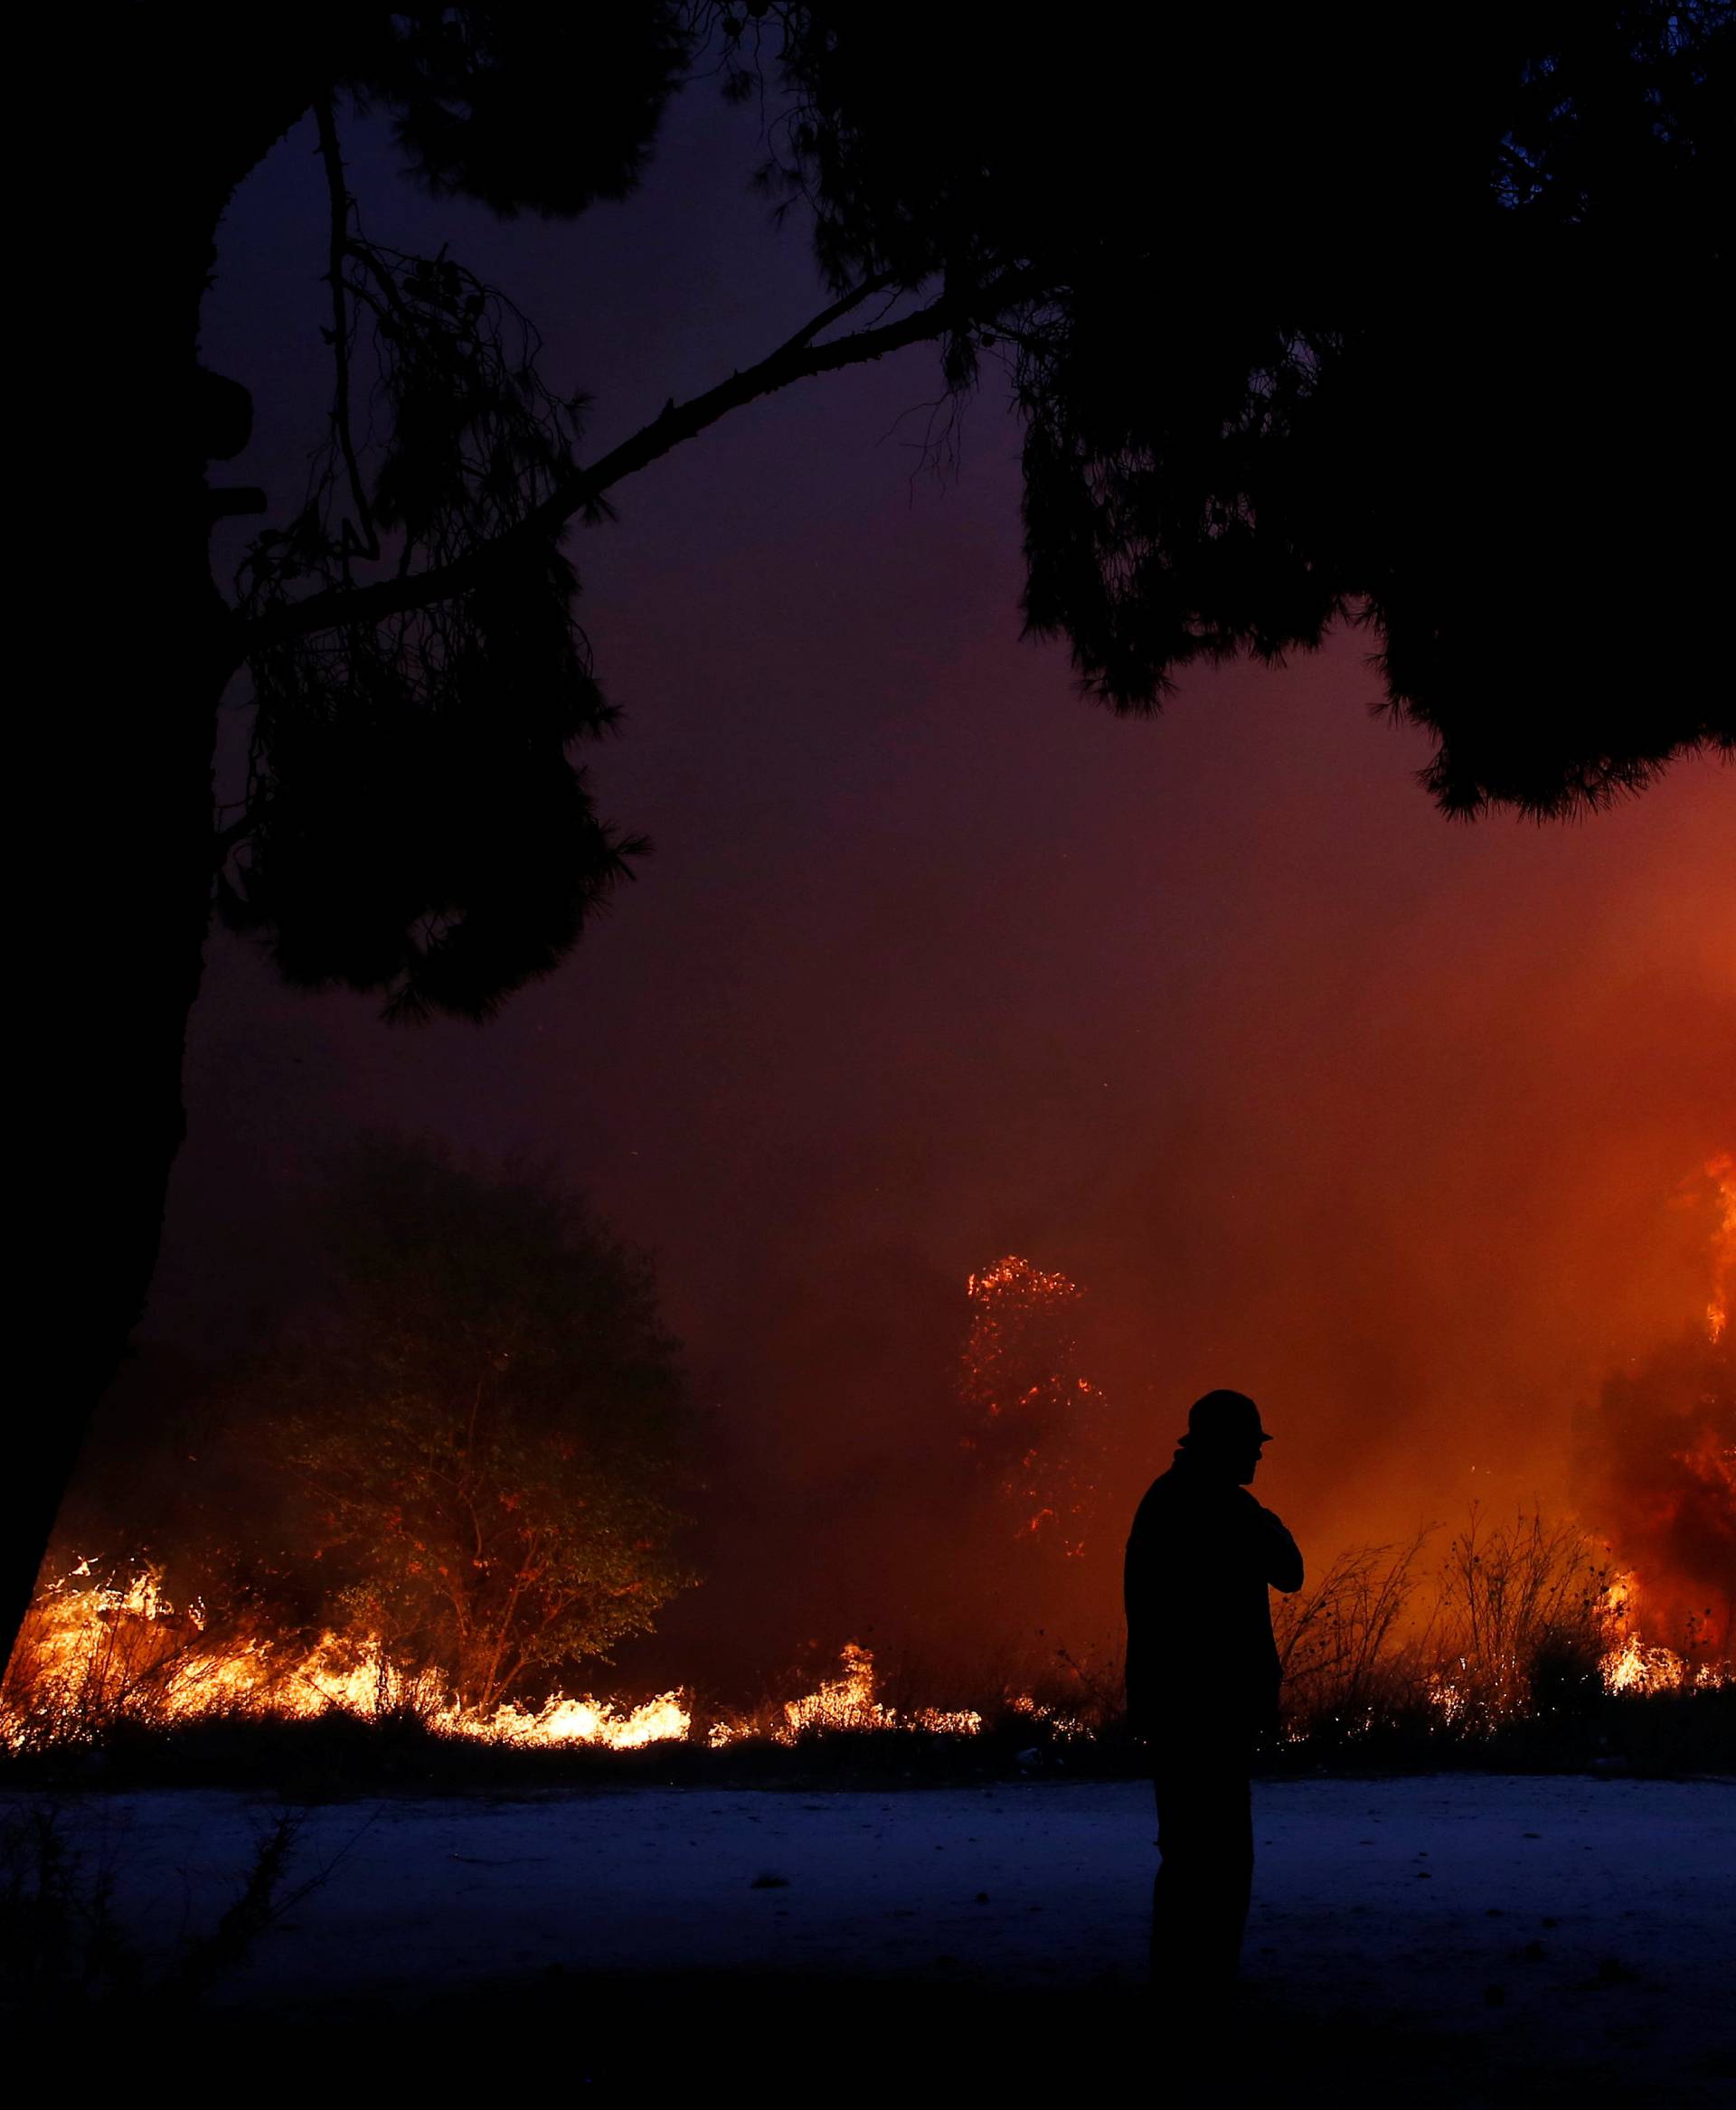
[[1315, 1094]]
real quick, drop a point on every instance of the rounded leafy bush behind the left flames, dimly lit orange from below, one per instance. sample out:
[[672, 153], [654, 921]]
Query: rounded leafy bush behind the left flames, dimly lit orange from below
[[482, 1425]]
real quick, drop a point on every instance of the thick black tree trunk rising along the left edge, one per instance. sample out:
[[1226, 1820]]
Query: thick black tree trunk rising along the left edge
[[138, 649]]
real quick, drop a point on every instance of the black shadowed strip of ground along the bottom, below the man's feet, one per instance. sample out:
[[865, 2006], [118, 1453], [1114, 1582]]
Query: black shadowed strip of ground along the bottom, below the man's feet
[[849, 2039]]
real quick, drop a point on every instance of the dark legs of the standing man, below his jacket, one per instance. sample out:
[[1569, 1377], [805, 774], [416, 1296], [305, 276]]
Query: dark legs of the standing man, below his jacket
[[1201, 1892]]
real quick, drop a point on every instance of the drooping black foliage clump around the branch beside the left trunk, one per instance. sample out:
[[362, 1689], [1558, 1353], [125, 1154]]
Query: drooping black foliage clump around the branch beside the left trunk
[[412, 818]]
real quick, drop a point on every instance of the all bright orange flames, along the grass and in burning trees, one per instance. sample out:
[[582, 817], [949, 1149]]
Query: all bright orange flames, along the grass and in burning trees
[[1661, 1495]]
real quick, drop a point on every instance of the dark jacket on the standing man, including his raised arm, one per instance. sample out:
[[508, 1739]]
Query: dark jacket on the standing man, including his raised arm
[[1201, 1662]]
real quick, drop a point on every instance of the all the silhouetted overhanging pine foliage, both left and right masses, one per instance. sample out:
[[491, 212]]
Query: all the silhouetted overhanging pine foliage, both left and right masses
[[1300, 330]]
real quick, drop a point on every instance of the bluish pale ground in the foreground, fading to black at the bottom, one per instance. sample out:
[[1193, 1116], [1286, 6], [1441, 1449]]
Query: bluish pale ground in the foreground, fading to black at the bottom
[[1438, 1940]]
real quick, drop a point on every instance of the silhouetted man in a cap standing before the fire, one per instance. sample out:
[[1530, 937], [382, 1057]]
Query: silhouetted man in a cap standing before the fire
[[1203, 1683]]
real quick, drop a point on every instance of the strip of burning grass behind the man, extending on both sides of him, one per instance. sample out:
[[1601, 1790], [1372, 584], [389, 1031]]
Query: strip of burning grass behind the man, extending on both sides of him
[[1516, 1649]]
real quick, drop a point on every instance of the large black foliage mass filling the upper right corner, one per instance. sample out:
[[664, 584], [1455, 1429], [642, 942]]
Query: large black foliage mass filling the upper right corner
[[1328, 324]]
